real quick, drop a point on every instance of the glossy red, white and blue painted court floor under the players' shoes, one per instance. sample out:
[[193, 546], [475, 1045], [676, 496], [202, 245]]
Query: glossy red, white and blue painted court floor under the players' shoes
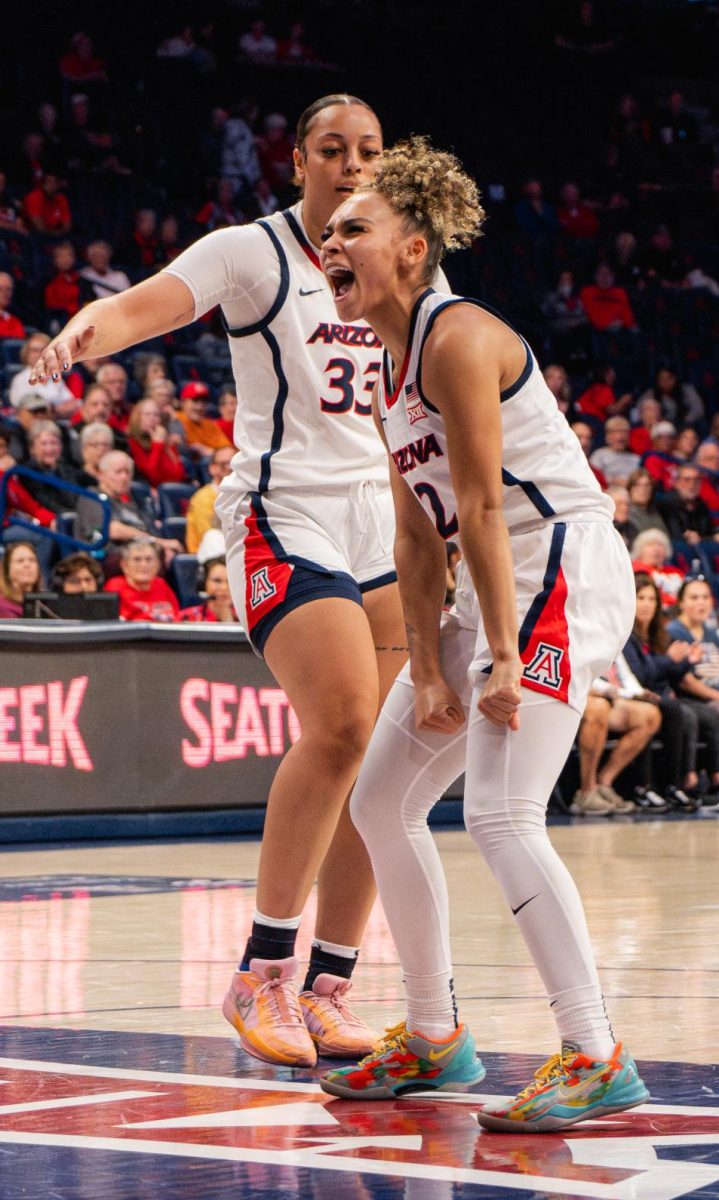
[[104, 1114]]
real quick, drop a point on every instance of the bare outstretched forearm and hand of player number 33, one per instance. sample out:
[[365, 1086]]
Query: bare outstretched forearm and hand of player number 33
[[153, 308]]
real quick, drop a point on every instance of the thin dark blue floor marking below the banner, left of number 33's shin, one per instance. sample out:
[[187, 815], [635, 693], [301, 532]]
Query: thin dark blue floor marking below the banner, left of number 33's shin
[[46, 886]]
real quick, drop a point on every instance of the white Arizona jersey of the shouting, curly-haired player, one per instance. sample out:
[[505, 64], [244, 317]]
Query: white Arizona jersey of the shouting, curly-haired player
[[546, 473]]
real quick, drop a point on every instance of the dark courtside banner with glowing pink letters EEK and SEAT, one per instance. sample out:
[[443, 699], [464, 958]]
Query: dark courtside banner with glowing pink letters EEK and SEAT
[[117, 718]]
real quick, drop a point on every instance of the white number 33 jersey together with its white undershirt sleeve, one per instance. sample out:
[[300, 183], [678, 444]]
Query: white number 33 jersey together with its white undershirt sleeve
[[304, 381]]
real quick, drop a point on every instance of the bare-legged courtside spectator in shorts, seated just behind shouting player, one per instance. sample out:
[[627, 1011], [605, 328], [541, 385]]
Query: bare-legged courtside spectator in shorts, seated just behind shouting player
[[608, 712]]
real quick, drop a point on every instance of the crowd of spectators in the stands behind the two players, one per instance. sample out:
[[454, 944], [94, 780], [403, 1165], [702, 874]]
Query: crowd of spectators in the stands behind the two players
[[614, 278]]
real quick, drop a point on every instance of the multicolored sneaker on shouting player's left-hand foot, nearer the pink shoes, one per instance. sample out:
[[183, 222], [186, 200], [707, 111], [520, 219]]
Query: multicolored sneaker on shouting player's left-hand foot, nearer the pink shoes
[[408, 1063]]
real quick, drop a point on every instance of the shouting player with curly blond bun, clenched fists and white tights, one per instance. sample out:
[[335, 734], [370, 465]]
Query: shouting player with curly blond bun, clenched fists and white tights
[[544, 603]]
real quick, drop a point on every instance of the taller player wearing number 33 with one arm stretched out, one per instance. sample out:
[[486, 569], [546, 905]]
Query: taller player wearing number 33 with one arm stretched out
[[309, 526]]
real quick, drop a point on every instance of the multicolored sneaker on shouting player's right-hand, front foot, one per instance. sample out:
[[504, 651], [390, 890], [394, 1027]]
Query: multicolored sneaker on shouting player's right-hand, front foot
[[570, 1088]]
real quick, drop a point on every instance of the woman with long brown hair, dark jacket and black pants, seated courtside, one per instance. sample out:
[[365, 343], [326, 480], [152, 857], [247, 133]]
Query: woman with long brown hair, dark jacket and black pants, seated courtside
[[661, 665]]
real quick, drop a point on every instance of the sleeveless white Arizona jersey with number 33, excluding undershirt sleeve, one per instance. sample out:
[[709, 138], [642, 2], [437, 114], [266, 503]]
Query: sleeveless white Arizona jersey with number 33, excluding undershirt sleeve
[[304, 382]]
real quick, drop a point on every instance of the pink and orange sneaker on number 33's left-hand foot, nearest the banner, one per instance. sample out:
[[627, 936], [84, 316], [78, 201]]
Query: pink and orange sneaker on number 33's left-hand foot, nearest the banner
[[265, 1009]]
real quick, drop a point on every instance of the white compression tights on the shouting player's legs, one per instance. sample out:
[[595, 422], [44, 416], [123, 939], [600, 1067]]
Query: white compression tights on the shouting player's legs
[[510, 777]]
